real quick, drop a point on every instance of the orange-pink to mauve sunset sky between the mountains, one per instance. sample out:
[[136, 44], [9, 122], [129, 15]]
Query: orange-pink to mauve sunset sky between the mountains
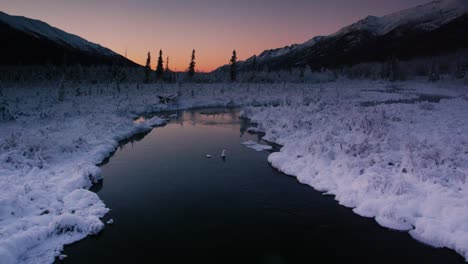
[[213, 27]]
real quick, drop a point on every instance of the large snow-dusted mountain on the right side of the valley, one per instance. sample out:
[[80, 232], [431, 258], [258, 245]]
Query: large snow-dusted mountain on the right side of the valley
[[426, 30]]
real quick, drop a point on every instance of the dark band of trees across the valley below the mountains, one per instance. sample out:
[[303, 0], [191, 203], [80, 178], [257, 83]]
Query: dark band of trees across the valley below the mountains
[[452, 66]]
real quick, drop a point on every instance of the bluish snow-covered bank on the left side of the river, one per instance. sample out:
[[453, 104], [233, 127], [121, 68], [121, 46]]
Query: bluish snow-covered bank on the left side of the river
[[49, 152]]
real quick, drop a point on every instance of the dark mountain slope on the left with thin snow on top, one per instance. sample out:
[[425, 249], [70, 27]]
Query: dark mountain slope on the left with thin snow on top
[[28, 41]]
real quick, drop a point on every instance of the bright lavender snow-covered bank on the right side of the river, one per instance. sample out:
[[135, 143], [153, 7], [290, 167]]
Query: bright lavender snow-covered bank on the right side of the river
[[406, 165]]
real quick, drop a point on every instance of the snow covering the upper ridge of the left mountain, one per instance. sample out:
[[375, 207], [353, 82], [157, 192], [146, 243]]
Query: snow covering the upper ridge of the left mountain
[[40, 29]]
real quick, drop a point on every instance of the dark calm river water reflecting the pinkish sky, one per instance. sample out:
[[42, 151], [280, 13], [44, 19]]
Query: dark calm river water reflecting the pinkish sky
[[171, 204]]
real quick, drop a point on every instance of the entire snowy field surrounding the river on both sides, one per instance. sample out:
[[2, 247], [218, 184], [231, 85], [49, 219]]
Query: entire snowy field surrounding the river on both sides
[[374, 145]]
